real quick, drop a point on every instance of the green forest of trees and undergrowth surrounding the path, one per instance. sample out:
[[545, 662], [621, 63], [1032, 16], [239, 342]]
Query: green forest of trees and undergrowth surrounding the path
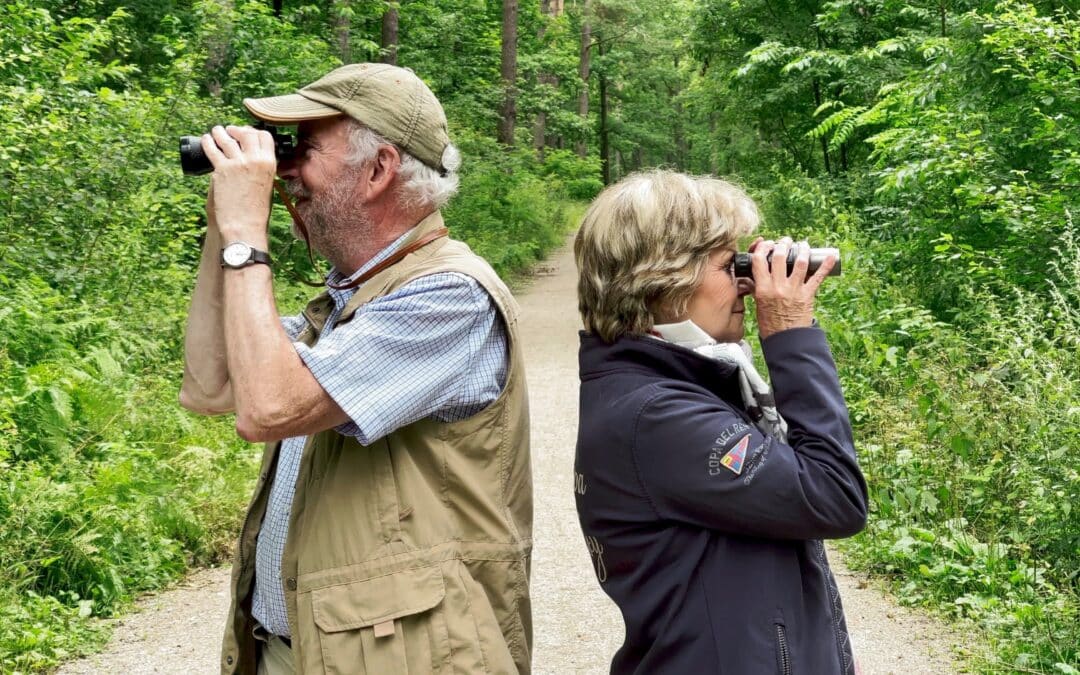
[[936, 143]]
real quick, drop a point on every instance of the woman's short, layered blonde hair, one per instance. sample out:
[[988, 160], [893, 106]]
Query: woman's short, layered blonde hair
[[644, 245]]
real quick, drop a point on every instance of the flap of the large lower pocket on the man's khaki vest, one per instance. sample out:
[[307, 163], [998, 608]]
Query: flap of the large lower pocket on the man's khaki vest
[[361, 604]]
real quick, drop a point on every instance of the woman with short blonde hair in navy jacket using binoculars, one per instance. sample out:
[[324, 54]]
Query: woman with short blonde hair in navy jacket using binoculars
[[704, 498]]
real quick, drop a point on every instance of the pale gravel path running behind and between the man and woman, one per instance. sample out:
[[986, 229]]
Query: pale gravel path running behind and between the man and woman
[[577, 628]]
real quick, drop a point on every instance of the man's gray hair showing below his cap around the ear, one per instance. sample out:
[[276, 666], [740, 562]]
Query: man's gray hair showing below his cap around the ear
[[421, 185]]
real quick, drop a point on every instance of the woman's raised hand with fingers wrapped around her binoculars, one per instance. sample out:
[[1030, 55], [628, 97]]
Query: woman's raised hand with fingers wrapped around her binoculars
[[785, 301]]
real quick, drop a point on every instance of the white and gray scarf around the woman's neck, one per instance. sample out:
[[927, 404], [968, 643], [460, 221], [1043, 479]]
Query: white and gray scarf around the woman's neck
[[758, 397]]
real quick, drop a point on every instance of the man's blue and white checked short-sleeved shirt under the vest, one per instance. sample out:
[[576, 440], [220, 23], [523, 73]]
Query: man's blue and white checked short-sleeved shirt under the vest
[[435, 348]]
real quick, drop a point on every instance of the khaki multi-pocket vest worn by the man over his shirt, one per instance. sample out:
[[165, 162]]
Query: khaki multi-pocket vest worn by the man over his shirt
[[412, 555]]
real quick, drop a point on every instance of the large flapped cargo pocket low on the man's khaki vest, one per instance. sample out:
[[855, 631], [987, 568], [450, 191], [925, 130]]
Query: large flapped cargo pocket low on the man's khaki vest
[[391, 624]]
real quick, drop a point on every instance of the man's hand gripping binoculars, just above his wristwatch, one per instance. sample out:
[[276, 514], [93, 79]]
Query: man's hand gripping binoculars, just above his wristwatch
[[245, 167]]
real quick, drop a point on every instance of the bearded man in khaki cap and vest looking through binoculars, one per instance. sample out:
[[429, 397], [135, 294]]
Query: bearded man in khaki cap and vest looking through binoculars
[[390, 531]]
